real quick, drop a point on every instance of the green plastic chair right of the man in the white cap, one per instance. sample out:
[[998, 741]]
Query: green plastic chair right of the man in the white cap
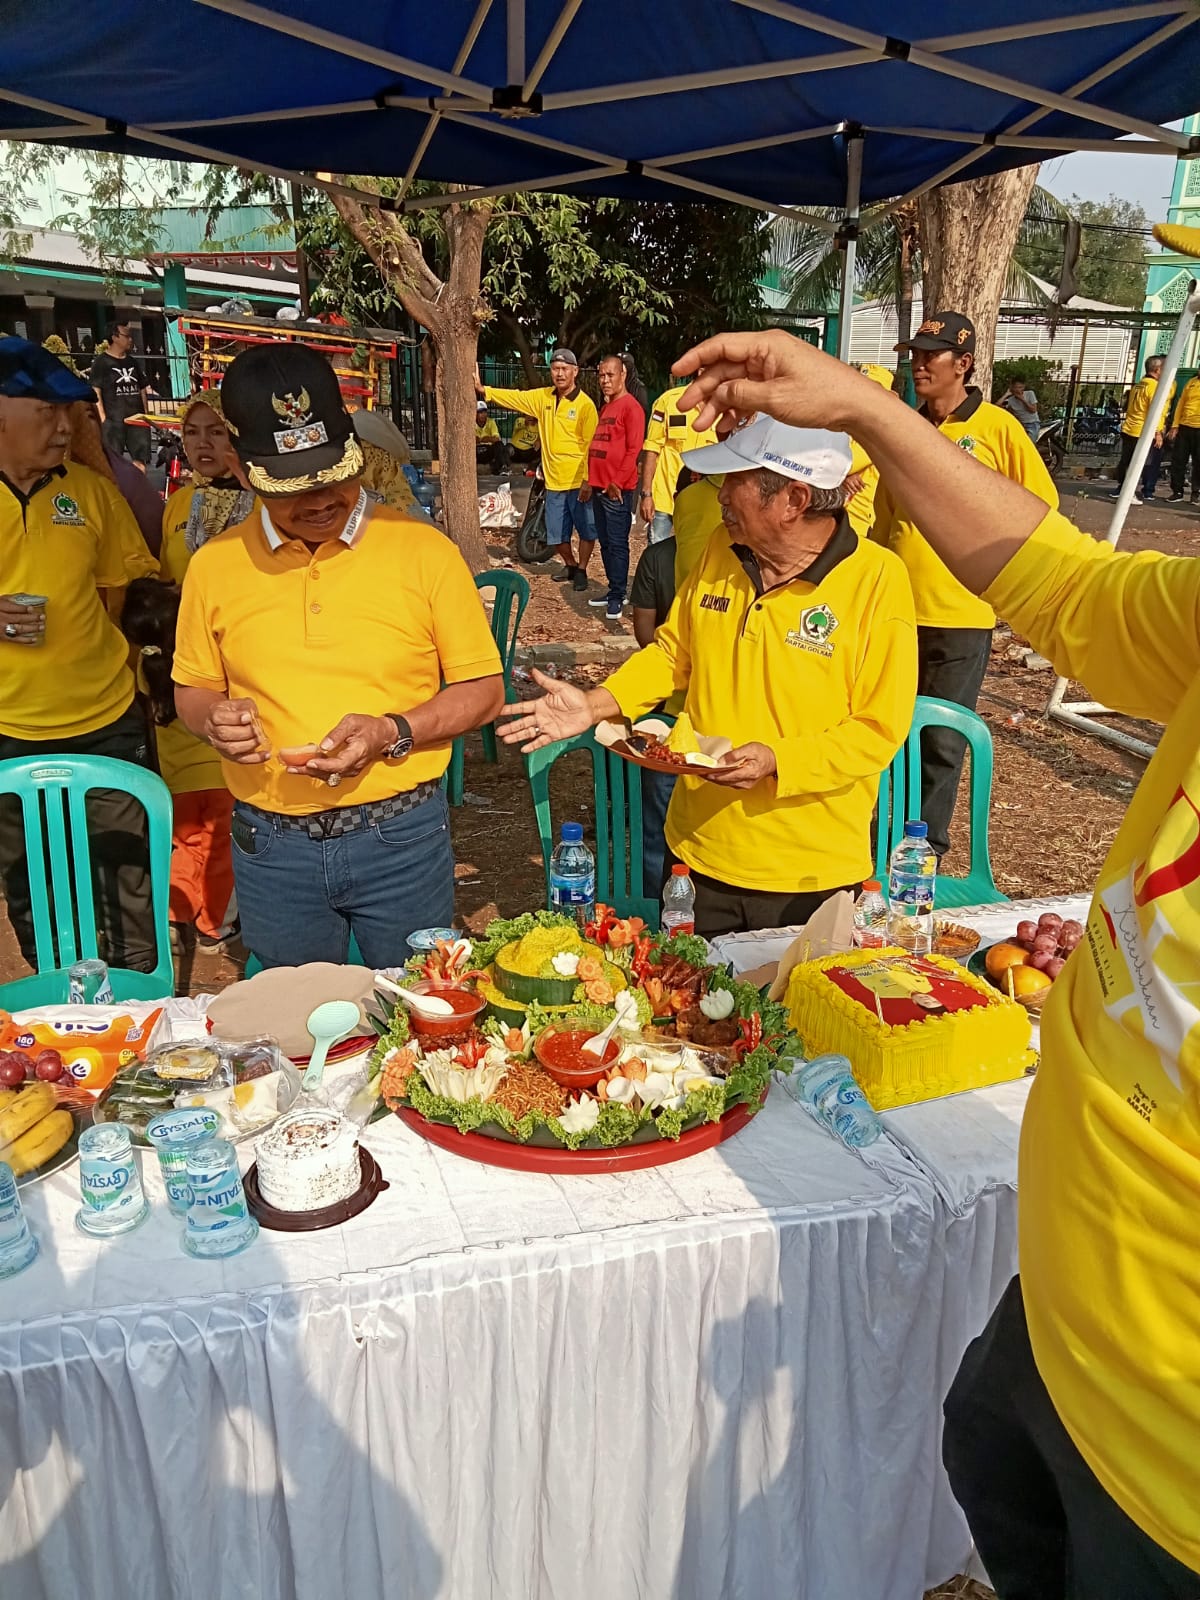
[[900, 798]]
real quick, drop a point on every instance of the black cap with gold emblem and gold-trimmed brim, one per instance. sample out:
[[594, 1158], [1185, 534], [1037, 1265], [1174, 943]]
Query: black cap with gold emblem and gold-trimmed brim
[[286, 415]]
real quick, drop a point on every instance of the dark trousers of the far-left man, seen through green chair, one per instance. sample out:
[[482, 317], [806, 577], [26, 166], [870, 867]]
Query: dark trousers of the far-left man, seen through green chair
[[121, 863]]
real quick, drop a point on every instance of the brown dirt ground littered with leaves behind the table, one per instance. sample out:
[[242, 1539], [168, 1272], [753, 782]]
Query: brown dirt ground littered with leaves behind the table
[[1057, 799]]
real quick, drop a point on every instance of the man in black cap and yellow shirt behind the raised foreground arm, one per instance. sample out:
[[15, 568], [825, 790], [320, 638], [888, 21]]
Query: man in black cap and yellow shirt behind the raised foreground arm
[[954, 628]]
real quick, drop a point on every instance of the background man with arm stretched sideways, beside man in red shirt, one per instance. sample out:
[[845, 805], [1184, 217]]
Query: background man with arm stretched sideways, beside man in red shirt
[[566, 423]]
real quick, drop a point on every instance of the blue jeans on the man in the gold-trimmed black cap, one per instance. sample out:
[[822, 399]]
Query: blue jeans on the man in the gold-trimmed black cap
[[300, 898]]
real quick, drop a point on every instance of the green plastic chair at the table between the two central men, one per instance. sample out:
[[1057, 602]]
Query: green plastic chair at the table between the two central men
[[617, 786]]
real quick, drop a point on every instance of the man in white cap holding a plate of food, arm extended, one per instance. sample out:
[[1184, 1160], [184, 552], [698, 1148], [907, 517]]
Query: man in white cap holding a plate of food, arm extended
[[791, 638]]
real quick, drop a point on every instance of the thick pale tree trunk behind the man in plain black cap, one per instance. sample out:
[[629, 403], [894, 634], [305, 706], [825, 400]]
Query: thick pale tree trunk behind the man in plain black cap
[[967, 239]]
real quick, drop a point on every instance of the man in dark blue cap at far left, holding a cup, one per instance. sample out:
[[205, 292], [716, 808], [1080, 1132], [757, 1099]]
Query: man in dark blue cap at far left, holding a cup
[[68, 542]]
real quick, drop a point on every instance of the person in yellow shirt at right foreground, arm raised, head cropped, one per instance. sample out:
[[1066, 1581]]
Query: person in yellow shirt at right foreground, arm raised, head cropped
[[1073, 1431]]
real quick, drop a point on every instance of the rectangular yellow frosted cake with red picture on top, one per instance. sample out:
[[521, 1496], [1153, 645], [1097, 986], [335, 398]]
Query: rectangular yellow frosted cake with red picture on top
[[913, 1026]]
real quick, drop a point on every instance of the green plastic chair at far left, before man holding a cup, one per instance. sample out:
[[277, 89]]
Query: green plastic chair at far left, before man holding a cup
[[52, 793]]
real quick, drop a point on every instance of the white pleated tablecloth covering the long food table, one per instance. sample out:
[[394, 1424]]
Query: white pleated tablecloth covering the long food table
[[703, 1382]]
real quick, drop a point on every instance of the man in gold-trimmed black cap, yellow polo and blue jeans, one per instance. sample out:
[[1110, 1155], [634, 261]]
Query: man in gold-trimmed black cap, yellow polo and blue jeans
[[330, 650]]
